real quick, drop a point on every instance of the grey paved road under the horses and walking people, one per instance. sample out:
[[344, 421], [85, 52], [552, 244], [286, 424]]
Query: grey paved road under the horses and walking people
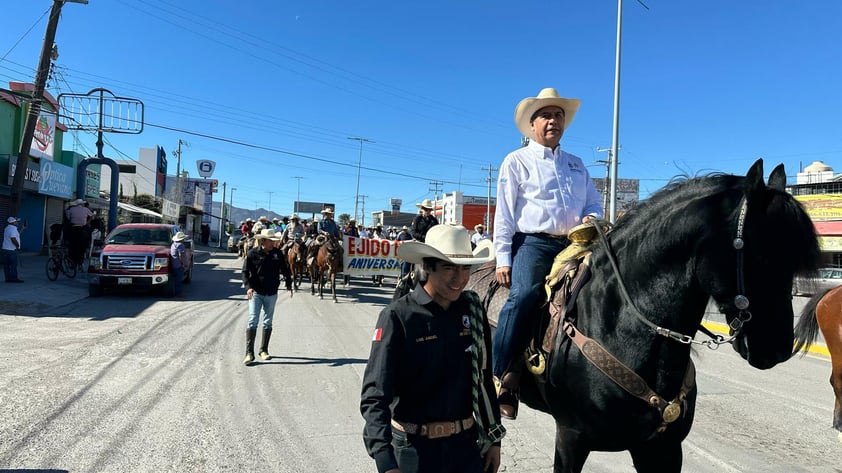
[[135, 383]]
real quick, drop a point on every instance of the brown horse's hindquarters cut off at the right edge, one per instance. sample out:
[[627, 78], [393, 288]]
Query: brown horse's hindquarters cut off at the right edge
[[824, 312]]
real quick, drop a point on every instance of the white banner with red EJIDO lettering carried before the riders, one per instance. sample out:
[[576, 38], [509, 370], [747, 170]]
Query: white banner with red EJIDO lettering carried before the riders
[[369, 257]]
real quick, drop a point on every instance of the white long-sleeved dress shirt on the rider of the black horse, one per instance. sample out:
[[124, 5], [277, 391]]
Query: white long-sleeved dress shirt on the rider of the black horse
[[541, 191]]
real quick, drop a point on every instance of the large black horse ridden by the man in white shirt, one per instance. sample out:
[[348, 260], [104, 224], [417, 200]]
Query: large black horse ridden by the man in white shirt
[[730, 238]]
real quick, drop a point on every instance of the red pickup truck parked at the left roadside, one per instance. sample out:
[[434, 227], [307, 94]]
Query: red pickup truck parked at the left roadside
[[137, 255]]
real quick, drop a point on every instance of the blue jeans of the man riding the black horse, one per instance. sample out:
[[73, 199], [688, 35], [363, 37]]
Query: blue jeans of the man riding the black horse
[[532, 259]]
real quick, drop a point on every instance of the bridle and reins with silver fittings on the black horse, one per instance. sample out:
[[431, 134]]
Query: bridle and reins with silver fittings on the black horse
[[741, 301]]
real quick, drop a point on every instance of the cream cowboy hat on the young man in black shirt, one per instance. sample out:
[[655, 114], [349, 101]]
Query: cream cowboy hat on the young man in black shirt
[[450, 243]]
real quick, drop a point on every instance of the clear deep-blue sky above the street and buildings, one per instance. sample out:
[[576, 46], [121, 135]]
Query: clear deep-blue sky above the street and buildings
[[705, 86]]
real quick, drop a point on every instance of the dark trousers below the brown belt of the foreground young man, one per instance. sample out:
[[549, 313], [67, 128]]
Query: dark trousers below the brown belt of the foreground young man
[[455, 454]]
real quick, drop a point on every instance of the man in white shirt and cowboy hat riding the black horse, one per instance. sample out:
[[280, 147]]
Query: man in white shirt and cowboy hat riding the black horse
[[542, 193]]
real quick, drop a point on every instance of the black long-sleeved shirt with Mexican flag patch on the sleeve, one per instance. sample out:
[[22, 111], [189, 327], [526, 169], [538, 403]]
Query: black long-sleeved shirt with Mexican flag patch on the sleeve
[[419, 370]]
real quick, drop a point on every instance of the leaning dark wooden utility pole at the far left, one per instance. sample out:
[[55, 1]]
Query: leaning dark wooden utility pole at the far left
[[34, 112]]
